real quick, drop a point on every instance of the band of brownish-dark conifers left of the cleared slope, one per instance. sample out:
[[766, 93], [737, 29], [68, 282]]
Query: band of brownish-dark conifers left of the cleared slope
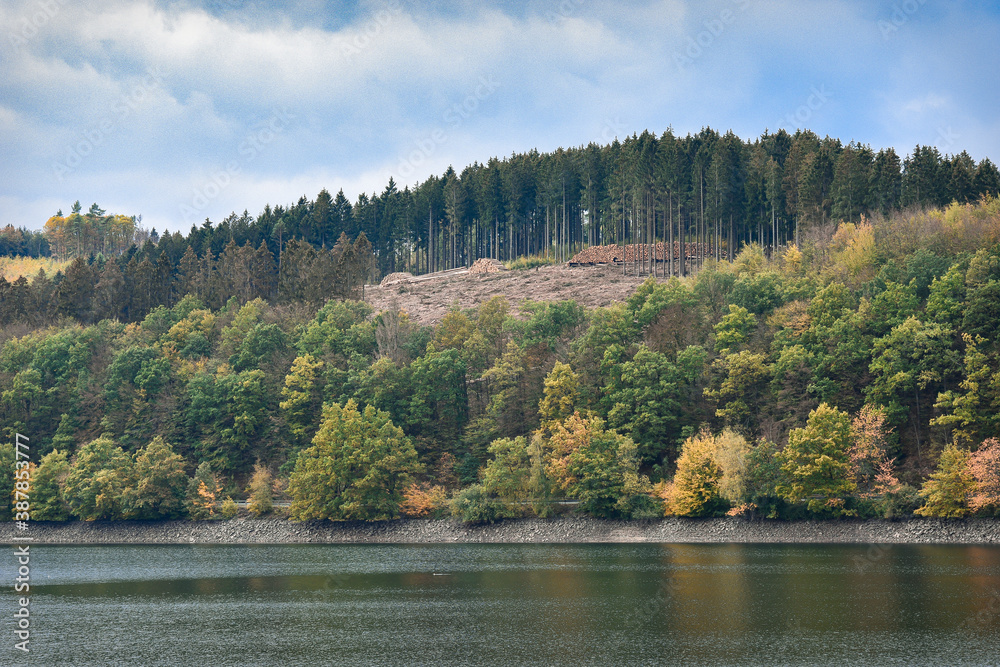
[[128, 286]]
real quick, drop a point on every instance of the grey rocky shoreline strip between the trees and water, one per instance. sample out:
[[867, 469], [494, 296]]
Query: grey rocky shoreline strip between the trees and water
[[559, 530]]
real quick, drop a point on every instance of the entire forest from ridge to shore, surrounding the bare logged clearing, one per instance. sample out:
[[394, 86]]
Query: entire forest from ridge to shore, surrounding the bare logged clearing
[[829, 350]]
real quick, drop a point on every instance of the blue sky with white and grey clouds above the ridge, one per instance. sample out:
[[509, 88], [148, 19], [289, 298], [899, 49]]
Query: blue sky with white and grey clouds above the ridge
[[187, 110]]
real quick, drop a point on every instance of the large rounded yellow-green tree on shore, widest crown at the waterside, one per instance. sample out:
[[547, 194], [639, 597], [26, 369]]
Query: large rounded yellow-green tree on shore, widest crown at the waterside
[[357, 467]]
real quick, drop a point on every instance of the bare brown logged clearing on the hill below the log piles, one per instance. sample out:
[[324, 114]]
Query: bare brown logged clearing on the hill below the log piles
[[428, 299]]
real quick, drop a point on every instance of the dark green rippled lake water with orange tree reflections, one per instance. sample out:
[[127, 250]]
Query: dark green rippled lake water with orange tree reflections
[[511, 605]]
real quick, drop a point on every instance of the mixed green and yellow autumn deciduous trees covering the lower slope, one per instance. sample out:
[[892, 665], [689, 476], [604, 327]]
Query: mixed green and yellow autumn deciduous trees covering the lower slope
[[854, 374]]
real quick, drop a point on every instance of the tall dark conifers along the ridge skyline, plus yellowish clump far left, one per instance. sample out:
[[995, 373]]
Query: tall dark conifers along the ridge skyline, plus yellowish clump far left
[[714, 190]]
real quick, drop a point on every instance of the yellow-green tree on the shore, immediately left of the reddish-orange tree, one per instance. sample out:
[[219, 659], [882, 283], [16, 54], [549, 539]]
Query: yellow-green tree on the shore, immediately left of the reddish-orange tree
[[817, 464]]
